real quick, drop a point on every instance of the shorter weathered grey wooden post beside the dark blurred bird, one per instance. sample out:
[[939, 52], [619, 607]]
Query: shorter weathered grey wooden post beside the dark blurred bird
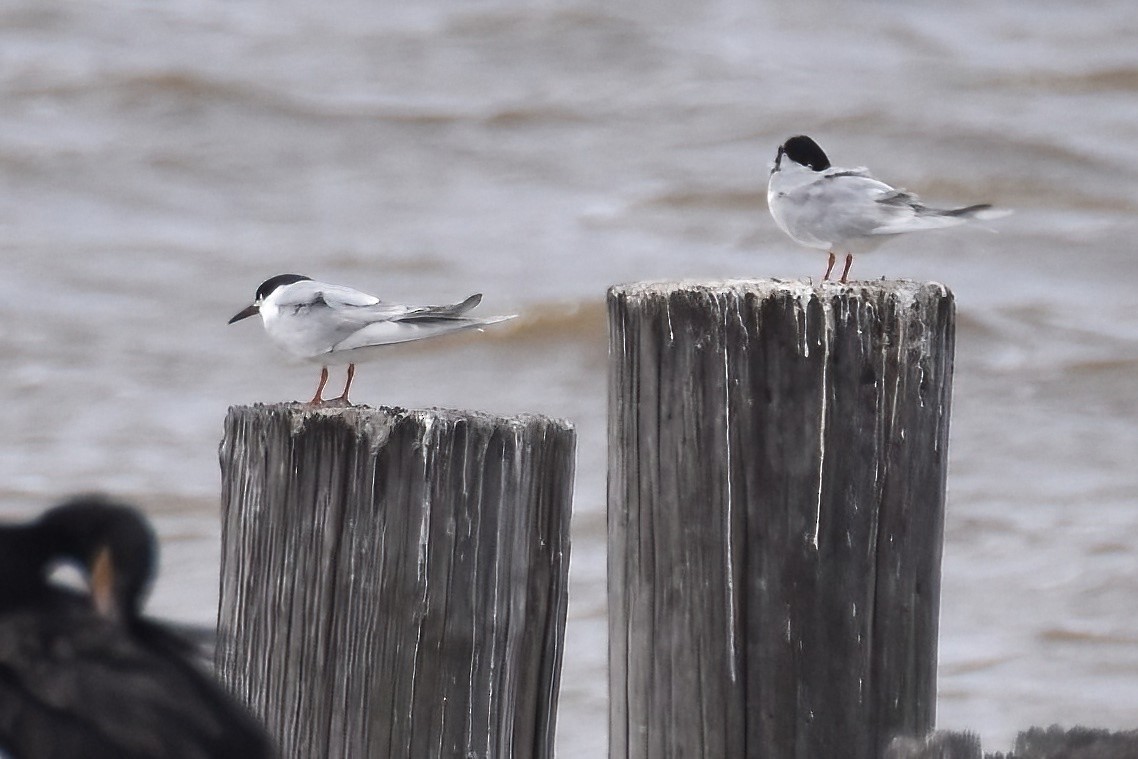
[[394, 583]]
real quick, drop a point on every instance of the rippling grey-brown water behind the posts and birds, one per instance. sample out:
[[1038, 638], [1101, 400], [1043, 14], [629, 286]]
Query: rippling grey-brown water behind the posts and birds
[[160, 160]]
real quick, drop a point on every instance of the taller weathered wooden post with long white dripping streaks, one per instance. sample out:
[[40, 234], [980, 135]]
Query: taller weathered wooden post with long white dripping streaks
[[777, 494]]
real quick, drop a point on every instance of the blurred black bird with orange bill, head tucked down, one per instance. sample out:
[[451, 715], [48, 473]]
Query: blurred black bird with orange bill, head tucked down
[[85, 674]]
